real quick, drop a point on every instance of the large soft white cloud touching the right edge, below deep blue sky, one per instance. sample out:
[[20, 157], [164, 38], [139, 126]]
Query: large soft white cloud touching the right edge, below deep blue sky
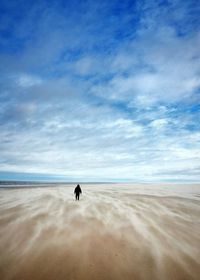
[[160, 67]]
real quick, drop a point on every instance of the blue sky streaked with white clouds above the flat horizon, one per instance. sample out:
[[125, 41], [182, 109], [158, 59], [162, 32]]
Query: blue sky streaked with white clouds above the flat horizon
[[100, 90]]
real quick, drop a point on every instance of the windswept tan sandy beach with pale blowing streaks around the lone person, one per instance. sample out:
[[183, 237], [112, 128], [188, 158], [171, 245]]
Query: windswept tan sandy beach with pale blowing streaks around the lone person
[[113, 232]]
